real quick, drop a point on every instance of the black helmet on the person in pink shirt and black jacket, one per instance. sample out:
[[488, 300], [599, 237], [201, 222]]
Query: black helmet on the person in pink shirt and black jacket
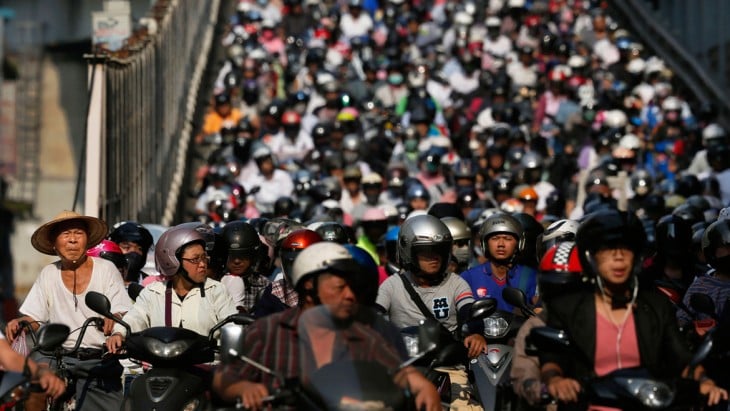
[[609, 227]]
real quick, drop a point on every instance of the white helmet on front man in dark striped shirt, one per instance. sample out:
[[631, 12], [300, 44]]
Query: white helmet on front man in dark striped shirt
[[319, 258]]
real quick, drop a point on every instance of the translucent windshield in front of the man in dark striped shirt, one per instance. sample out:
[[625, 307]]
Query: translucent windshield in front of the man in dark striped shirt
[[346, 365]]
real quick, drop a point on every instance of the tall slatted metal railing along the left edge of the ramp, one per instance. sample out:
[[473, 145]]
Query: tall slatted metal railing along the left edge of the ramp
[[138, 133]]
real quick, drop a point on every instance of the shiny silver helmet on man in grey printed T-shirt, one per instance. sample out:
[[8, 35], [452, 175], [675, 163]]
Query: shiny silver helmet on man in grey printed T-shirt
[[420, 233]]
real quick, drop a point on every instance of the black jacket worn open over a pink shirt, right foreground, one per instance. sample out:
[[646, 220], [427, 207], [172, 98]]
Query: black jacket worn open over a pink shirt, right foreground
[[662, 350]]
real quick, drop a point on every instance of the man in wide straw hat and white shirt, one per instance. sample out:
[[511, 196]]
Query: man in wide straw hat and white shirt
[[58, 296]]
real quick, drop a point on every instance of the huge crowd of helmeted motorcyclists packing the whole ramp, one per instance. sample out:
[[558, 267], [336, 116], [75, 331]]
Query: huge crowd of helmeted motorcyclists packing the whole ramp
[[397, 161]]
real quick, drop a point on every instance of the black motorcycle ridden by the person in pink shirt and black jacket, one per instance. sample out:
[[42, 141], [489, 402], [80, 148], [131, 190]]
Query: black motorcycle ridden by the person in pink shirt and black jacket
[[629, 388]]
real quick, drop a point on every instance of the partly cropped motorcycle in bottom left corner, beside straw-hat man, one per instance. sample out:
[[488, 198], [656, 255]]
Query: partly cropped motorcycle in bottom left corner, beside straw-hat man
[[15, 387]]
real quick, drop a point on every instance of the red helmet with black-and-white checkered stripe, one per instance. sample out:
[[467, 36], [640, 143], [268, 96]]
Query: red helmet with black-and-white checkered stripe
[[559, 269]]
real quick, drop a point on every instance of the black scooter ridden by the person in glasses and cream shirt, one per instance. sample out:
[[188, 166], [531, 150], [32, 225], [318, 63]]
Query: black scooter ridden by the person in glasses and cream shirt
[[176, 356]]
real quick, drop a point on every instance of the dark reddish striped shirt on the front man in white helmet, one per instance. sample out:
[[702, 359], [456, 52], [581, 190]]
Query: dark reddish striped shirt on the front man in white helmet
[[274, 342]]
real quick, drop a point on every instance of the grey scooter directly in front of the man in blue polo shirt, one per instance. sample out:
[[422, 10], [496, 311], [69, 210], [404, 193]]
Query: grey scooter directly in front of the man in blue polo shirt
[[491, 371]]
